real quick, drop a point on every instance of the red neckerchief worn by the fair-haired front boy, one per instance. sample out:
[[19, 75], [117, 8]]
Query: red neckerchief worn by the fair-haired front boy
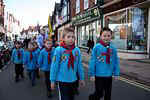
[[69, 51]]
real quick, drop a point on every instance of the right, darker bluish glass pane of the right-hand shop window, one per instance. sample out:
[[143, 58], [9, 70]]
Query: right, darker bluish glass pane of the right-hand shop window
[[137, 33]]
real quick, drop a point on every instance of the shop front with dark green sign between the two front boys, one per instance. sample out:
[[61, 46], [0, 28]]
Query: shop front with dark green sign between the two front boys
[[87, 26]]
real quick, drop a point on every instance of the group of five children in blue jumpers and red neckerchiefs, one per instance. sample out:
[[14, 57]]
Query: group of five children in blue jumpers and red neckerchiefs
[[63, 65]]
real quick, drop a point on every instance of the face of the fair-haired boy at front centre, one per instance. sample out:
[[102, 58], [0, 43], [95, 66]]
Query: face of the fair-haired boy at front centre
[[69, 38]]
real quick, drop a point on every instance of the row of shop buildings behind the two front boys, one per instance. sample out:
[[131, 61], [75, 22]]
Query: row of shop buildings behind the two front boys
[[129, 21]]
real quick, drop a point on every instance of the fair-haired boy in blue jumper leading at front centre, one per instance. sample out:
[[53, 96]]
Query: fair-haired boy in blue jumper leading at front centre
[[66, 65]]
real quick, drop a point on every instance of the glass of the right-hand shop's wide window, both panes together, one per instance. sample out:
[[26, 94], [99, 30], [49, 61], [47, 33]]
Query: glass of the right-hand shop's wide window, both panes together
[[129, 28]]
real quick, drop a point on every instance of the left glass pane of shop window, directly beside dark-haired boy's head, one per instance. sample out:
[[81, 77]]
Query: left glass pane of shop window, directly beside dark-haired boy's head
[[117, 23]]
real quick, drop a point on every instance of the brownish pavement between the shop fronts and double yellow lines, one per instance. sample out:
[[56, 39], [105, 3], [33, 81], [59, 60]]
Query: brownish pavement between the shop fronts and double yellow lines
[[133, 69]]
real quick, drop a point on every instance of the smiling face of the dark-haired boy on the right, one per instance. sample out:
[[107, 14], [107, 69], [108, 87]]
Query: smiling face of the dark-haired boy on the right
[[106, 36]]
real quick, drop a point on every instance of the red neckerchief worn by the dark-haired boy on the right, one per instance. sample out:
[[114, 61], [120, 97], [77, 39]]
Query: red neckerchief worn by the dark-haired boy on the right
[[107, 54]]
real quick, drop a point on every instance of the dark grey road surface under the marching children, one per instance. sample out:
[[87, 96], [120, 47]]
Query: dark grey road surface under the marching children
[[9, 90]]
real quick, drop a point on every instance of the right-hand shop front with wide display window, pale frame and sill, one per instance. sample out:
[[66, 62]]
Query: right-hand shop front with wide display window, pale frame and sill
[[130, 31]]
